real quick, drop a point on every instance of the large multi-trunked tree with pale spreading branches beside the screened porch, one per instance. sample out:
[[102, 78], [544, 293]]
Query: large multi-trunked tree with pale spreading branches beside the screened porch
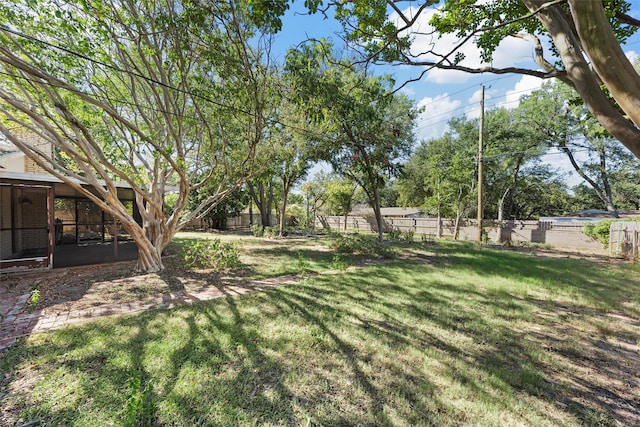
[[160, 95]]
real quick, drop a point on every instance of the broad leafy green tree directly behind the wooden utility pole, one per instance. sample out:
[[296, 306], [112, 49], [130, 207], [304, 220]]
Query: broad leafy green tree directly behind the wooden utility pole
[[440, 176]]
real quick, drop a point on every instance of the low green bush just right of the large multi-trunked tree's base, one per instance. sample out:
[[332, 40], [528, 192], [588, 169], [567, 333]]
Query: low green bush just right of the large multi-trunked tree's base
[[210, 254]]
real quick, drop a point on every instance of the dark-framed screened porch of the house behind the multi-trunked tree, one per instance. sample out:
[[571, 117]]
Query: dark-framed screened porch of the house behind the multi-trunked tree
[[45, 223]]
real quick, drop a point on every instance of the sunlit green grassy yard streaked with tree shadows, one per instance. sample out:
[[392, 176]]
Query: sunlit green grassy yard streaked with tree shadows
[[444, 334]]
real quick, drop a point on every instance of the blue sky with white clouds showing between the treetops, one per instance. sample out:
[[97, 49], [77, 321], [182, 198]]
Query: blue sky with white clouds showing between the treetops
[[445, 94]]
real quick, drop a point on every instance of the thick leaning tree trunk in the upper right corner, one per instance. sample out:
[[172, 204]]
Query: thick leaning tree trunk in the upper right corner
[[583, 79]]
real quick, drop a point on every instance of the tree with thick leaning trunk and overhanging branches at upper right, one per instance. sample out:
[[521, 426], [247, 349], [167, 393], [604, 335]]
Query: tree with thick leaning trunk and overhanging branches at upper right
[[584, 36]]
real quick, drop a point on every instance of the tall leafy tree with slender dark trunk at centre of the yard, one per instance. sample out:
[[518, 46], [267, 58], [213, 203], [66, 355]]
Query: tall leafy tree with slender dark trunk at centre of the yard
[[369, 127]]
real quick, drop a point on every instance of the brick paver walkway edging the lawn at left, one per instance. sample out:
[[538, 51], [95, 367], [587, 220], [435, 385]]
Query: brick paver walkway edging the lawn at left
[[17, 321]]
